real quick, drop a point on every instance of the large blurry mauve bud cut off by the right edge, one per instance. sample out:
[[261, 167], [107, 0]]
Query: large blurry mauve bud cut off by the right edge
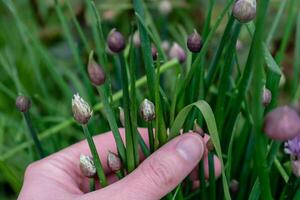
[[282, 123]]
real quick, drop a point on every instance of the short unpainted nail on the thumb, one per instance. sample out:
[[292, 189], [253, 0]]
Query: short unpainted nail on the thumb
[[190, 148]]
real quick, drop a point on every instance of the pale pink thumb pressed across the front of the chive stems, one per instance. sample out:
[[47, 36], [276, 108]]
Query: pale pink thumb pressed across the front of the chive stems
[[160, 173]]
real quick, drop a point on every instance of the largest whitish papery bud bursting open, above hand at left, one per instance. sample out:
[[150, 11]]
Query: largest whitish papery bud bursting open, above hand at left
[[81, 110]]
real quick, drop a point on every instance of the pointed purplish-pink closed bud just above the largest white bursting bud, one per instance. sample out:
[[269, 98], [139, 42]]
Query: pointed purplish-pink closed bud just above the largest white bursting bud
[[96, 73]]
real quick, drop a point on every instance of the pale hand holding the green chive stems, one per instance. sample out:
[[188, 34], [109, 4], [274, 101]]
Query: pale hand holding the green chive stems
[[59, 177]]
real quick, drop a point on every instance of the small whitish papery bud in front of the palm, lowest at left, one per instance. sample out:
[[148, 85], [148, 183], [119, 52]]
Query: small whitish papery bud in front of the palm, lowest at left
[[87, 166]]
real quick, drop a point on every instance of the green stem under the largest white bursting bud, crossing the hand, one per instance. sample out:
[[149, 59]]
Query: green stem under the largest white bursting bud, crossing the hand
[[98, 165]]
